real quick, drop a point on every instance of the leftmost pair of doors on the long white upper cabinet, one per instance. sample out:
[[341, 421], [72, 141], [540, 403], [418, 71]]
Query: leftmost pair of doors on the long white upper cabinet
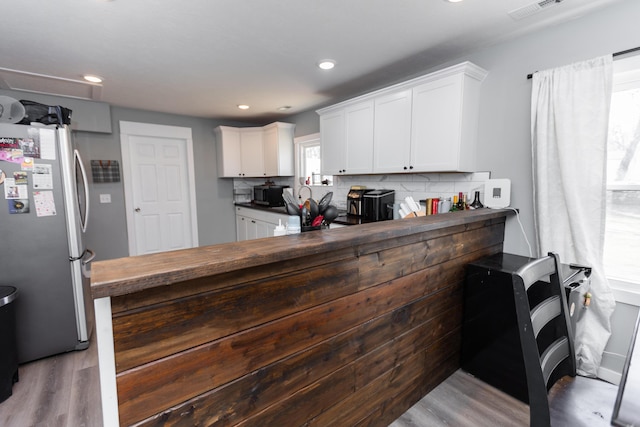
[[346, 136]]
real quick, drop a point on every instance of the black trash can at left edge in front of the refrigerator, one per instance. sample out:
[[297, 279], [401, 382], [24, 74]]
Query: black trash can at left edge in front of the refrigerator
[[8, 350]]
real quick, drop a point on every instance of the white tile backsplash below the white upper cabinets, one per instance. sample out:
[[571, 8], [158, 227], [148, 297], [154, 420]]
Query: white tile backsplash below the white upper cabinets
[[419, 186]]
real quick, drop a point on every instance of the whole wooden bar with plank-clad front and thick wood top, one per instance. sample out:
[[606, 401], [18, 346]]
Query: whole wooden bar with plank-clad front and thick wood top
[[340, 327]]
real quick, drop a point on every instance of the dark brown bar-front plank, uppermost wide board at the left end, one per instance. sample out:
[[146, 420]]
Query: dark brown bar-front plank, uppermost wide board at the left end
[[157, 331]]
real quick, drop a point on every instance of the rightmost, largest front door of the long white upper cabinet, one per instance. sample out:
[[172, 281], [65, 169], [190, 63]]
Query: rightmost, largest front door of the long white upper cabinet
[[436, 125]]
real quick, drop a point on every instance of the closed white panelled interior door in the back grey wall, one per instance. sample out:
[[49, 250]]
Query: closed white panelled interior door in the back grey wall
[[159, 187]]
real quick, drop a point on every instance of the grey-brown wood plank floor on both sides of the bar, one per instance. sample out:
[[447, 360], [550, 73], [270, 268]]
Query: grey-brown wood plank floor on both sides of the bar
[[63, 391]]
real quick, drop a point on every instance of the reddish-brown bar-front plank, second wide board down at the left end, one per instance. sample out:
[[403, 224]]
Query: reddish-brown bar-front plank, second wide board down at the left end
[[159, 385]]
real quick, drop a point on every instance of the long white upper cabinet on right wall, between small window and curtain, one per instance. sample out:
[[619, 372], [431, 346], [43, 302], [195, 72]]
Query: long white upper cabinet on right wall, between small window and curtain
[[427, 124]]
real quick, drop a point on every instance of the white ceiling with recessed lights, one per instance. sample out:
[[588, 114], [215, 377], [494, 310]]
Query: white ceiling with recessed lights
[[204, 57]]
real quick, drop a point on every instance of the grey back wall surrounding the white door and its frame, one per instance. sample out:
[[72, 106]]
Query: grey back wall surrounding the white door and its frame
[[107, 233]]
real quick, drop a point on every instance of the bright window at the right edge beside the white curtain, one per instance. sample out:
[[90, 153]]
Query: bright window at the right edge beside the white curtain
[[622, 230]]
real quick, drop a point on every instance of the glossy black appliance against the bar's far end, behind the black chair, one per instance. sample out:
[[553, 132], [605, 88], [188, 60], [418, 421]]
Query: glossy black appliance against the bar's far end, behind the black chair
[[490, 340]]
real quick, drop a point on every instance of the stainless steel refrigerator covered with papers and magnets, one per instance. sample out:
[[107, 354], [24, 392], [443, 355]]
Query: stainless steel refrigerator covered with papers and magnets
[[44, 207]]
